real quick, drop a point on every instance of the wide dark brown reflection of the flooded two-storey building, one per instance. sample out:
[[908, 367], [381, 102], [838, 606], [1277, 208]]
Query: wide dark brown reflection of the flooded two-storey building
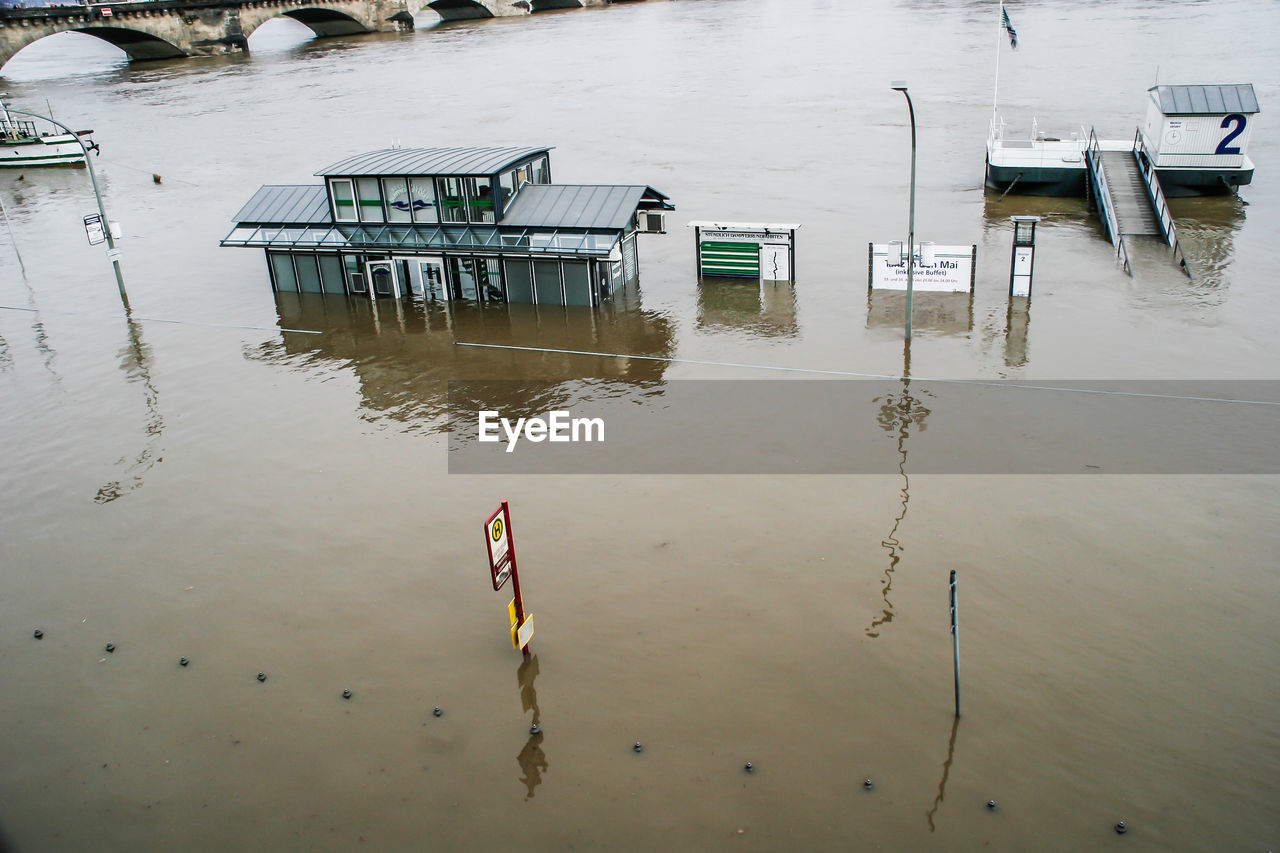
[[405, 358]]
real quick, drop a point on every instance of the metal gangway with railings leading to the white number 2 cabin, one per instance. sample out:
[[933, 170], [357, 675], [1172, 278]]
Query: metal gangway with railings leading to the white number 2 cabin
[[1130, 199]]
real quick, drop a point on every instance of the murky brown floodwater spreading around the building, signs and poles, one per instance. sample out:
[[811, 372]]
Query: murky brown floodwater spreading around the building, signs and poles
[[199, 482]]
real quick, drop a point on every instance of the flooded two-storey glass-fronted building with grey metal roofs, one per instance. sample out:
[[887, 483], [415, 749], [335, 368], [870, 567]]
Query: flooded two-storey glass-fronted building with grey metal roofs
[[481, 225]]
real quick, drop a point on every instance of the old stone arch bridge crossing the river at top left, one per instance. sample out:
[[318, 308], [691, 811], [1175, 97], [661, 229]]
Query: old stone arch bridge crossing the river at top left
[[170, 29]]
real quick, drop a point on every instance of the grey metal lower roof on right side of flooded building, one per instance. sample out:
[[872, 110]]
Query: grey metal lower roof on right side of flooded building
[[560, 206]]
